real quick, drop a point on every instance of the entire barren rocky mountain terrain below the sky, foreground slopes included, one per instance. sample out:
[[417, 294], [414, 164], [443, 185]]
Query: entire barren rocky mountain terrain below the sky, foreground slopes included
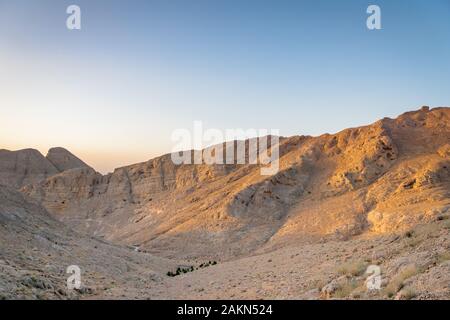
[[376, 196]]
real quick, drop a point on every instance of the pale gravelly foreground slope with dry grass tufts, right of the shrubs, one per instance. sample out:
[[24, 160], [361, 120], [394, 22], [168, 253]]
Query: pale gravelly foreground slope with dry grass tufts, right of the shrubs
[[413, 265]]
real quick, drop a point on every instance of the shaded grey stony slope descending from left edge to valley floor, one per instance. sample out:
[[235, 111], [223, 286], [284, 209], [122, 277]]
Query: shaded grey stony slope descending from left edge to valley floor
[[35, 251]]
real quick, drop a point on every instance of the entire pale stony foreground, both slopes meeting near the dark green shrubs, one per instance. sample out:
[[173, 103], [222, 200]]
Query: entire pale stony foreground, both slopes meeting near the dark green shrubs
[[35, 251]]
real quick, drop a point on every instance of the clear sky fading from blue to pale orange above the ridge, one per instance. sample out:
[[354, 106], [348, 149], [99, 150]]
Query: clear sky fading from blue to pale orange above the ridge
[[114, 91]]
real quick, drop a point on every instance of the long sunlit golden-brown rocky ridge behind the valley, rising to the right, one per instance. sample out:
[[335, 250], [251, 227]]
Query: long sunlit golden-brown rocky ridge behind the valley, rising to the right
[[380, 178]]
